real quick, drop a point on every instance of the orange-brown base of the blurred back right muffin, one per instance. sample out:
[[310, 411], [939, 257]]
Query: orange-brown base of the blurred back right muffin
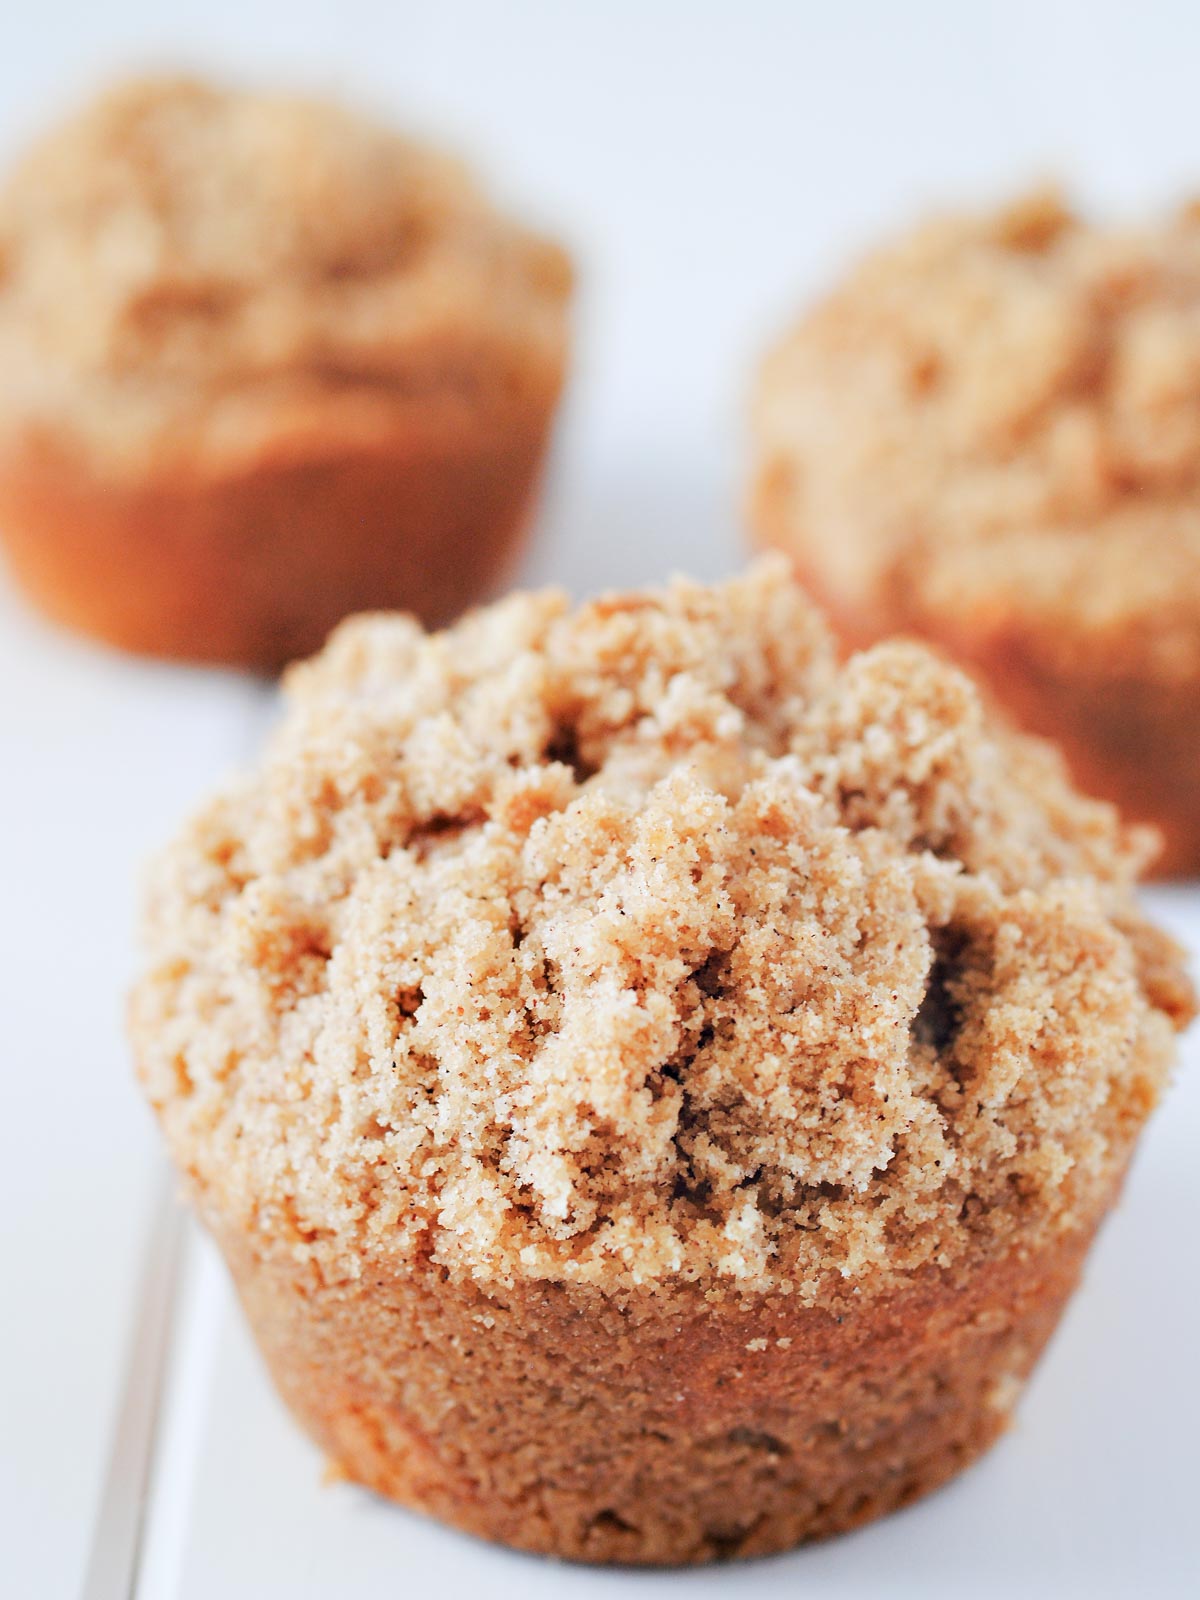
[[1127, 740]]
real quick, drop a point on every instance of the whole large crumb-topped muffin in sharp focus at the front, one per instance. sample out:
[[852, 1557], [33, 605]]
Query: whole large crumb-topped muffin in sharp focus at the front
[[654, 1087]]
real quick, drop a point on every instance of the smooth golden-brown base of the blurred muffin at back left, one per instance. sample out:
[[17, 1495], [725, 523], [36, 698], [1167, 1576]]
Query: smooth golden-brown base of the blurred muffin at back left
[[255, 567]]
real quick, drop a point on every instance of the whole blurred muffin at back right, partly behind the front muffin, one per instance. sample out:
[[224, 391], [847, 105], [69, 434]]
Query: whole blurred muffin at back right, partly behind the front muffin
[[990, 436]]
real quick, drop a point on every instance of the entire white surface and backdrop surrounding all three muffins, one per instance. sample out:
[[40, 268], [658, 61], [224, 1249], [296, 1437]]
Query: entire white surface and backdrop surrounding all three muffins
[[710, 164]]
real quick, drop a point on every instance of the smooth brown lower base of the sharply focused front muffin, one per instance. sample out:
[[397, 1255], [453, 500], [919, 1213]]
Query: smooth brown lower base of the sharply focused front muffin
[[652, 1431]]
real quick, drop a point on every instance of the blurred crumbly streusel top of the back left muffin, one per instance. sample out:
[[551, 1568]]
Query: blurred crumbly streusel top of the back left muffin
[[188, 268]]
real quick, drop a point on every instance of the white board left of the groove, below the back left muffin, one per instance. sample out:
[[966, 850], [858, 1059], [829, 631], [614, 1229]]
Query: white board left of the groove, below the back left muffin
[[97, 758]]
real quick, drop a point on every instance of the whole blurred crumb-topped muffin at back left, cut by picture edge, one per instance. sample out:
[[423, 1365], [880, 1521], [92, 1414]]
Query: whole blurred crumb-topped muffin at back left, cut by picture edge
[[263, 362]]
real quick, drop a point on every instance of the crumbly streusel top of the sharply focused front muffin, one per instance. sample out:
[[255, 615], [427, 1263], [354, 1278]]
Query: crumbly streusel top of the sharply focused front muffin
[[646, 945]]
